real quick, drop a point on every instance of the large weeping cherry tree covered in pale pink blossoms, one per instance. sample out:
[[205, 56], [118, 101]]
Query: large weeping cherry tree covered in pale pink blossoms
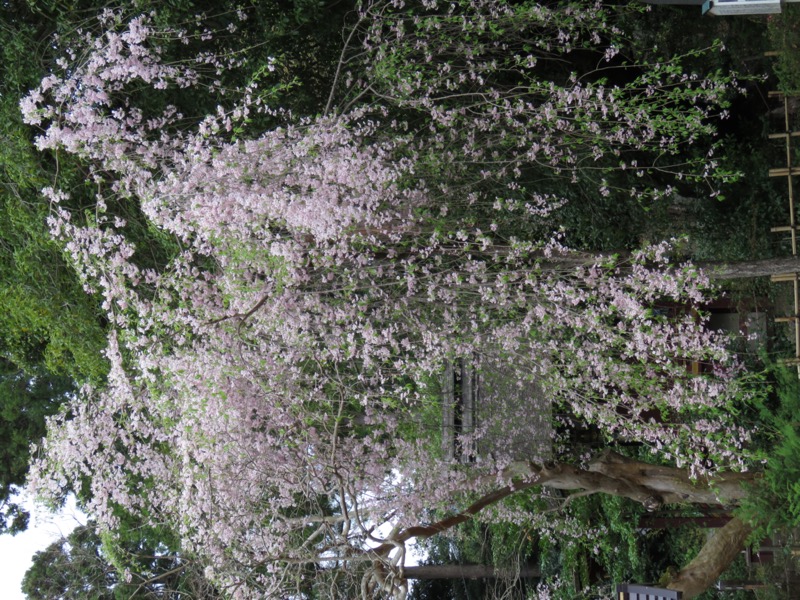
[[269, 385]]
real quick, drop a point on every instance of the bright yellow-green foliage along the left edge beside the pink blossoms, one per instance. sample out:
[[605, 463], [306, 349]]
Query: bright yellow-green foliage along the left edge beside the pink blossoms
[[46, 319]]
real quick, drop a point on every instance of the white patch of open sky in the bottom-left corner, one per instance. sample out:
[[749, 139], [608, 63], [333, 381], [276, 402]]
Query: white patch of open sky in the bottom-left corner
[[17, 551]]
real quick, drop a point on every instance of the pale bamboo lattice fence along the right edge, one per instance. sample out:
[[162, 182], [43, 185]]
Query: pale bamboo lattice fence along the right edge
[[789, 172]]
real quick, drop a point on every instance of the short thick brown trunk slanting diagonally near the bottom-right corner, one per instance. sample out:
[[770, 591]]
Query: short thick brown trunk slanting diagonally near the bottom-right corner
[[716, 554]]
